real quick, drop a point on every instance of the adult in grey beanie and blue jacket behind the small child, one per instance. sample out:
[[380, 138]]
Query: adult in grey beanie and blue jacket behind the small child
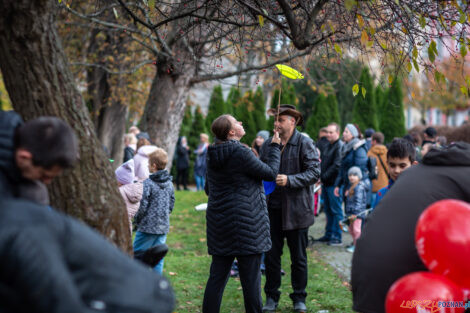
[[353, 154]]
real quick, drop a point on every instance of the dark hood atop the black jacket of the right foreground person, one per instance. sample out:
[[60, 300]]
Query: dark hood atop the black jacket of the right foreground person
[[455, 154]]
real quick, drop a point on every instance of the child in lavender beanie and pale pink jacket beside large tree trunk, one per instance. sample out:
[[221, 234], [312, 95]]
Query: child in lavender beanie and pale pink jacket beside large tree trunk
[[131, 192]]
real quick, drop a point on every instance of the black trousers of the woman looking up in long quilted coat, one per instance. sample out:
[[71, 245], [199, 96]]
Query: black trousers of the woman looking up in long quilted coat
[[250, 278]]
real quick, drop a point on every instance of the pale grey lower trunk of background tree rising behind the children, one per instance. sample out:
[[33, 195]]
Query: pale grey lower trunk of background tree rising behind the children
[[164, 109]]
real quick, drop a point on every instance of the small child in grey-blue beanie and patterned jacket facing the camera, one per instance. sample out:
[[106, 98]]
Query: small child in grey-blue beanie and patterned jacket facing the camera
[[356, 203]]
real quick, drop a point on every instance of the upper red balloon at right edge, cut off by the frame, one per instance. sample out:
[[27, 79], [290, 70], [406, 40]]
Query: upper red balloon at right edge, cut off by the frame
[[443, 240]]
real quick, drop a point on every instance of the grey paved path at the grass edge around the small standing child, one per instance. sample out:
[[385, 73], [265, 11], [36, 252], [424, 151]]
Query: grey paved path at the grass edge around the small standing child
[[337, 257]]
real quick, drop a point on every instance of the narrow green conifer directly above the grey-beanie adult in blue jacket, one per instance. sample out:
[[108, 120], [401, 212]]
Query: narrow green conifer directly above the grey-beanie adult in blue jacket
[[364, 111]]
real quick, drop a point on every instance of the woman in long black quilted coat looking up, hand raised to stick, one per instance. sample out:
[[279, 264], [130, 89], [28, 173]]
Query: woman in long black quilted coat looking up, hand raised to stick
[[237, 216]]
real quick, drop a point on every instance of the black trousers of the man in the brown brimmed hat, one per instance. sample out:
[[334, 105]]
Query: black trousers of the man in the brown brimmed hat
[[297, 242]]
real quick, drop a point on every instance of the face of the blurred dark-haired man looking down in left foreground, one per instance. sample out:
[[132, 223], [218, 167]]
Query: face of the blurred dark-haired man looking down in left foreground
[[24, 161]]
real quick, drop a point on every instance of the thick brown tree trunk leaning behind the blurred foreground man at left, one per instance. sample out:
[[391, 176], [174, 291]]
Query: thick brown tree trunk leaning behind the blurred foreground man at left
[[38, 80]]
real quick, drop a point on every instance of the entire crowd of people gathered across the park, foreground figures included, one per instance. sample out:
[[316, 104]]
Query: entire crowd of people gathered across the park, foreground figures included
[[367, 185]]
